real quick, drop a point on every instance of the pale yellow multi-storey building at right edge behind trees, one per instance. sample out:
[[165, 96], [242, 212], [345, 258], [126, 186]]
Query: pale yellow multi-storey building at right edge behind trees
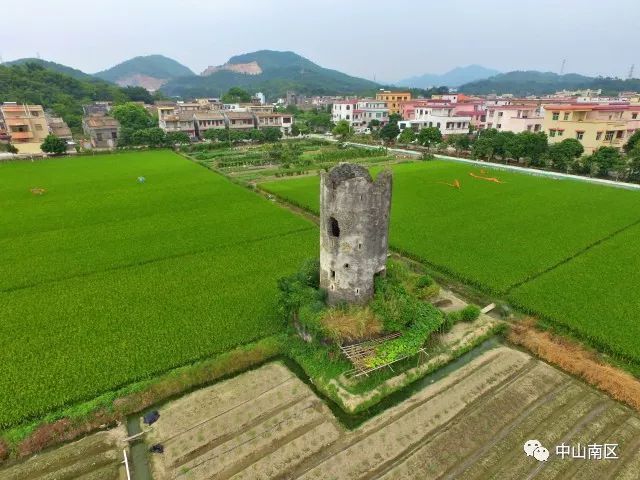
[[594, 125]]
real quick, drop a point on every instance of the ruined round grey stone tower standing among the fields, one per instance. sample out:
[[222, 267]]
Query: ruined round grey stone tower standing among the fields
[[354, 231]]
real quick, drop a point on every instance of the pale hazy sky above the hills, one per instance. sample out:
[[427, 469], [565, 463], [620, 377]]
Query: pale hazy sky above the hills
[[381, 39]]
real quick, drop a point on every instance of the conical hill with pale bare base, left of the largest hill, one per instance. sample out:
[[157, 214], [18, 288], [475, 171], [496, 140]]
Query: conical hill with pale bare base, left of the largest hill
[[149, 71]]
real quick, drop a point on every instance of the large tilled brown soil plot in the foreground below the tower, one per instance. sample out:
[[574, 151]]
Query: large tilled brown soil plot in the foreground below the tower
[[268, 424]]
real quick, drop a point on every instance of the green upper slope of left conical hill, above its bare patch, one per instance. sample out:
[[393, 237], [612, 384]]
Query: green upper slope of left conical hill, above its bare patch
[[156, 66]]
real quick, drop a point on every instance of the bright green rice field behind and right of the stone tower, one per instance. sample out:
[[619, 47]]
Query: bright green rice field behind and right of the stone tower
[[568, 251]]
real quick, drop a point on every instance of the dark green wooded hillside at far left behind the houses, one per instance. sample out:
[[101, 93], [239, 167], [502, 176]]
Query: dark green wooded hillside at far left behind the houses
[[63, 94]]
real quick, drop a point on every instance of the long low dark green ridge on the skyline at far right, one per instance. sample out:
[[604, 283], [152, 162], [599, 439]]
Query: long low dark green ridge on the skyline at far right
[[539, 83]]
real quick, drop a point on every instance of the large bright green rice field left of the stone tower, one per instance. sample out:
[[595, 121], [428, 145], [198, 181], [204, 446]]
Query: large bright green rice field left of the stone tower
[[104, 280]]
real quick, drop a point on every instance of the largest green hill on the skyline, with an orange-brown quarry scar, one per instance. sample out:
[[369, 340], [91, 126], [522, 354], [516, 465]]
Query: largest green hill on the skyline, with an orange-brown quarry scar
[[278, 72]]
